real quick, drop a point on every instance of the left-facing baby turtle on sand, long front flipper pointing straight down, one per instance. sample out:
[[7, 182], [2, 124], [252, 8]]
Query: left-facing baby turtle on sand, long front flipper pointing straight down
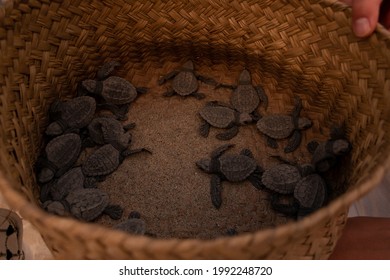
[[232, 168]]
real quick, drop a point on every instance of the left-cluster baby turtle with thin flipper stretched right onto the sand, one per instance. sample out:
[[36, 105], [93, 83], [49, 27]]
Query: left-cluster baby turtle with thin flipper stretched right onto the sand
[[104, 161]]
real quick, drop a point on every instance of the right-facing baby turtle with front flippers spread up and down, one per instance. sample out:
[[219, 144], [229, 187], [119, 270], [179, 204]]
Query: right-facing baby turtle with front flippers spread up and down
[[279, 126]]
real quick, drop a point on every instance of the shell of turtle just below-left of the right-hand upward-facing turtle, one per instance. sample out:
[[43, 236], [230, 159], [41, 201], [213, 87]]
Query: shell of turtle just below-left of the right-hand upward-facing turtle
[[218, 116]]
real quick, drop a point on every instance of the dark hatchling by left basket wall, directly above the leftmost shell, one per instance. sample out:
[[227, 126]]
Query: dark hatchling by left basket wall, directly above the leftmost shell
[[71, 115]]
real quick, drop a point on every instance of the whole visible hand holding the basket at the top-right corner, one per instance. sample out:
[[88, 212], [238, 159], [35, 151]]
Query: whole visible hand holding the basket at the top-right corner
[[367, 13]]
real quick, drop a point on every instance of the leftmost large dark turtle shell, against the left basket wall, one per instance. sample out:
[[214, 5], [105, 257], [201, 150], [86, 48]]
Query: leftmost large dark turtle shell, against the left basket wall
[[63, 150]]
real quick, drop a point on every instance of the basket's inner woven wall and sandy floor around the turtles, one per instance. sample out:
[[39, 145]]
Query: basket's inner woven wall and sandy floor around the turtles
[[58, 45]]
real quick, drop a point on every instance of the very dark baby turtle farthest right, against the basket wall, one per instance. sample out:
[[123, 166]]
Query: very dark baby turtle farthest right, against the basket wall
[[325, 154]]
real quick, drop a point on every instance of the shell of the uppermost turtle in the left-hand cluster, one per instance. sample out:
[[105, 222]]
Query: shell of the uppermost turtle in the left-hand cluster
[[117, 90]]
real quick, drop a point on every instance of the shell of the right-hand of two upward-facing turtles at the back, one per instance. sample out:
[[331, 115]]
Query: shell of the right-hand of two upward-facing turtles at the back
[[245, 99]]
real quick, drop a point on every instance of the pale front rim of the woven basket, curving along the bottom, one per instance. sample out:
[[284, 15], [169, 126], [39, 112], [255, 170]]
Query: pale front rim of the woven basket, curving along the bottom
[[30, 211]]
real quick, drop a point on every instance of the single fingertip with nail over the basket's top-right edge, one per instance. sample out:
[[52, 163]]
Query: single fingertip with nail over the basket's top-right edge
[[365, 14]]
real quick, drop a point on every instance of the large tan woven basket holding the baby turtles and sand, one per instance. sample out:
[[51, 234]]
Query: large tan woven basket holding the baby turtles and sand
[[296, 47]]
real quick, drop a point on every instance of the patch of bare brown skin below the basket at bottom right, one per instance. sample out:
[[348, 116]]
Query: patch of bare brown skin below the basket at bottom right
[[364, 238]]
